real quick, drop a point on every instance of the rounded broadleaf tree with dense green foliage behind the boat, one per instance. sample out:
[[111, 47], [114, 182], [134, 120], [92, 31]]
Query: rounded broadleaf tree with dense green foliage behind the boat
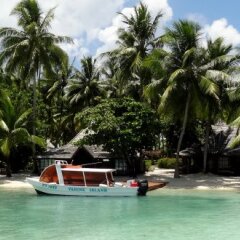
[[123, 126]]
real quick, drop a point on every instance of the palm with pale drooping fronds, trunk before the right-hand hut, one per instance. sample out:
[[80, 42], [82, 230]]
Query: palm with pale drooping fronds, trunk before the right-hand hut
[[219, 66]]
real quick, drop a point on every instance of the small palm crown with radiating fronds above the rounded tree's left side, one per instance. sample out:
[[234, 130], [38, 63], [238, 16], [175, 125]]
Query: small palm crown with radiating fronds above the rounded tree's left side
[[85, 89]]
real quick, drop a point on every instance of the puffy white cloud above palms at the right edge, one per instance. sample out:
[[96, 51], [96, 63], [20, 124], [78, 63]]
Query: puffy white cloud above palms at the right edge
[[221, 28]]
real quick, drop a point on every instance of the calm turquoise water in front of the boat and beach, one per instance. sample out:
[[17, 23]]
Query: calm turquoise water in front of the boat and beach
[[163, 214]]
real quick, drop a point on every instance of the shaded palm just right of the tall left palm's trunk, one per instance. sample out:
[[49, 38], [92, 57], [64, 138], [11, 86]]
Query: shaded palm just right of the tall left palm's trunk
[[57, 108]]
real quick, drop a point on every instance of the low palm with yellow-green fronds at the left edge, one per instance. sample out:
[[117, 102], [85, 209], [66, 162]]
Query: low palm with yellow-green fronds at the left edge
[[13, 131]]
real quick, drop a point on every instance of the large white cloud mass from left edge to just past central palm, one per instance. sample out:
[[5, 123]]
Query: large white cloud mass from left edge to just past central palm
[[87, 21]]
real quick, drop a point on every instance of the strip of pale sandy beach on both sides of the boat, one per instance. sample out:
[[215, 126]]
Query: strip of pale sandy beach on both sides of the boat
[[197, 181]]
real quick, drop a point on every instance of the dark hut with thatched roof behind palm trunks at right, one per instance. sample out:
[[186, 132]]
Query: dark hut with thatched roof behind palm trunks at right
[[221, 159]]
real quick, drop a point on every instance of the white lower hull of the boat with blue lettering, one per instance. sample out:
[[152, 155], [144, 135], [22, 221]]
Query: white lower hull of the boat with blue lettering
[[69, 190]]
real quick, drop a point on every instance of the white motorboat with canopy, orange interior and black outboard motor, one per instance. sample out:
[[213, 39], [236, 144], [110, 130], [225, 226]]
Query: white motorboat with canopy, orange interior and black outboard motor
[[62, 178]]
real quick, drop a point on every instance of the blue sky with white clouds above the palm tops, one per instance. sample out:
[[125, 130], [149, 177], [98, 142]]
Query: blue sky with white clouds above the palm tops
[[93, 24]]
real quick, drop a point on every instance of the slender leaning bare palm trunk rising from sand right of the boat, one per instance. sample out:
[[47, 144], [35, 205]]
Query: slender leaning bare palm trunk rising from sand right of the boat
[[176, 173]]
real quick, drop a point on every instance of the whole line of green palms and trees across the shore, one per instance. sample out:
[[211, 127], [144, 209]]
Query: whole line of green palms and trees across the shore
[[176, 87]]
